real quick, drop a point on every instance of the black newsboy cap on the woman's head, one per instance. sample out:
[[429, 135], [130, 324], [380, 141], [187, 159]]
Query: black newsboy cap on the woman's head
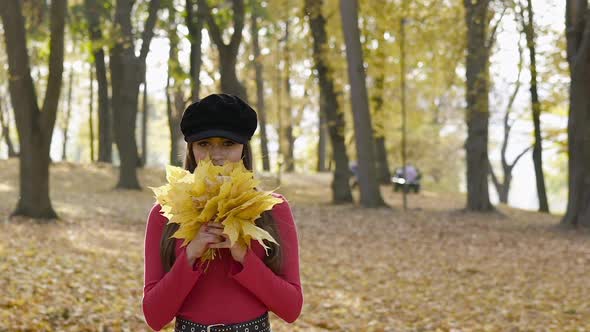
[[222, 115]]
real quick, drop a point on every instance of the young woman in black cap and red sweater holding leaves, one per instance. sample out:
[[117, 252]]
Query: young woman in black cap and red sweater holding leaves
[[241, 284]]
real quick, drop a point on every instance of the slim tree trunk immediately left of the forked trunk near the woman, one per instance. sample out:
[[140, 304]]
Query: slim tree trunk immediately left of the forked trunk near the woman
[[105, 127]]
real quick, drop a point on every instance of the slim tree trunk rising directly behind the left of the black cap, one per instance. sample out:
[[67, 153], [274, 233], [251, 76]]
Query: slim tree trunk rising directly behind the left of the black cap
[[195, 26]]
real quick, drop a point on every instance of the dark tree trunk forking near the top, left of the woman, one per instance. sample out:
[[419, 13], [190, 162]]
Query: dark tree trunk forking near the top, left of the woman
[[127, 73]]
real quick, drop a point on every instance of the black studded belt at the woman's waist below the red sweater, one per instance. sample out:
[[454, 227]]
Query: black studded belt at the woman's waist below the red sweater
[[260, 324]]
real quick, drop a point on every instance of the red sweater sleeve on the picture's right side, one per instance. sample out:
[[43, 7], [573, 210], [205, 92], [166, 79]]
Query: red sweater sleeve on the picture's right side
[[282, 294]]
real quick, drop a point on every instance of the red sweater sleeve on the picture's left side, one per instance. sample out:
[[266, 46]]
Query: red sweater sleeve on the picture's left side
[[164, 293]]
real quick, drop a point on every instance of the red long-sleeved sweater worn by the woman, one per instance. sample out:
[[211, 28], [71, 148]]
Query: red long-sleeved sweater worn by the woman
[[228, 292]]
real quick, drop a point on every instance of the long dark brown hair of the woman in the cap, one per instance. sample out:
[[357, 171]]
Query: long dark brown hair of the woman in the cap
[[266, 222]]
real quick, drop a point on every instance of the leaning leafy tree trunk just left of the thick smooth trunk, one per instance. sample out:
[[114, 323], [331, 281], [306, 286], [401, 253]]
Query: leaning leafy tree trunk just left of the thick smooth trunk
[[329, 103]]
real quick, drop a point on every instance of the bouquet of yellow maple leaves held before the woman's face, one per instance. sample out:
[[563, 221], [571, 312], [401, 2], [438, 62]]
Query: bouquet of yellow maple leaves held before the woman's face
[[225, 194]]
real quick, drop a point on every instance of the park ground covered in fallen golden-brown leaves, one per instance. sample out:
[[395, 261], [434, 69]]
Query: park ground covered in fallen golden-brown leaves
[[431, 268]]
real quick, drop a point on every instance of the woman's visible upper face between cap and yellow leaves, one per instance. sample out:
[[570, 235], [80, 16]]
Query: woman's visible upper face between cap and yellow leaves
[[219, 149]]
